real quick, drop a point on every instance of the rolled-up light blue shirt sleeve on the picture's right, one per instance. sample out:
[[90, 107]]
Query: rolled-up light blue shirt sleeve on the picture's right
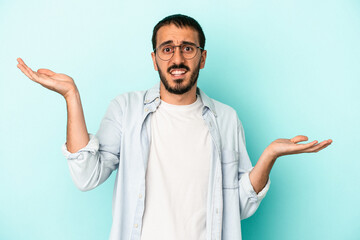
[[249, 199]]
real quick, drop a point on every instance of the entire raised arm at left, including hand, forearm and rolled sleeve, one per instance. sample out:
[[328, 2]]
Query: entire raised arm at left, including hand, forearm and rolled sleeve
[[91, 158]]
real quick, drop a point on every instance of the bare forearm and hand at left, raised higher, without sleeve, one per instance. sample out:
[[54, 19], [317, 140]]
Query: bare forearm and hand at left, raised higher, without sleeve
[[77, 135]]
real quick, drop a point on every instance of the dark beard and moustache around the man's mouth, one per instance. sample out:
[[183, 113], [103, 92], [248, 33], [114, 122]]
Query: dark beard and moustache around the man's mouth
[[179, 88]]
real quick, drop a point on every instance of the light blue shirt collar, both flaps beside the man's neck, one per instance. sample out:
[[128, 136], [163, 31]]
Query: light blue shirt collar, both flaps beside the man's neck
[[154, 93]]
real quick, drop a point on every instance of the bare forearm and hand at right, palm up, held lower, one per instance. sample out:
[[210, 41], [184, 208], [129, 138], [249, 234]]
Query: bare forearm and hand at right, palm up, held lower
[[259, 175]]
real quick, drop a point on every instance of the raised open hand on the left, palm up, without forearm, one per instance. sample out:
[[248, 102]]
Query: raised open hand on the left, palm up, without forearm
[[57, 82]]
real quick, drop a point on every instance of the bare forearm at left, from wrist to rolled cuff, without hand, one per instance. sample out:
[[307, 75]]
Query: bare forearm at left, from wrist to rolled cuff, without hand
[[77, 135]]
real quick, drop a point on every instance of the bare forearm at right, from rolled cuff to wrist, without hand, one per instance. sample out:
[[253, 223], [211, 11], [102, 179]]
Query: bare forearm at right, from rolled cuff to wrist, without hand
[[259, 175]]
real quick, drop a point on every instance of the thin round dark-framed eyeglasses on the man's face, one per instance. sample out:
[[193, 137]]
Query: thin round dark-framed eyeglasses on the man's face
[[166, 51]]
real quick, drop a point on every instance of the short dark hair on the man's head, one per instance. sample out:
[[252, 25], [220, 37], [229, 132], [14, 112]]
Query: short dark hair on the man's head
[[179, 21]]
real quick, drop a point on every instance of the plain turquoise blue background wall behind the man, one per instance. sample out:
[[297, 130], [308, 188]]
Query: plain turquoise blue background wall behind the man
[[287, 67]]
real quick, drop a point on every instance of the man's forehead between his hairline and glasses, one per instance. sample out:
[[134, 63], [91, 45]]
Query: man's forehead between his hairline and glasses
[[177, 35]]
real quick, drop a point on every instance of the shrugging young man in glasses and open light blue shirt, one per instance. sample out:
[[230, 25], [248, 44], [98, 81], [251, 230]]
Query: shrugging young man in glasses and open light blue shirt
[[183, 169]]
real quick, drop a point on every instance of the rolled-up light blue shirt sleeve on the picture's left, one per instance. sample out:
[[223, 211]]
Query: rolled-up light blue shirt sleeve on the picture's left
[[93, 164]]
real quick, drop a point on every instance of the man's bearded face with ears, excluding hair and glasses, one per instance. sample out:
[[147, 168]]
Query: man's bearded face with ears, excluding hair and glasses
[[169, 70]]
